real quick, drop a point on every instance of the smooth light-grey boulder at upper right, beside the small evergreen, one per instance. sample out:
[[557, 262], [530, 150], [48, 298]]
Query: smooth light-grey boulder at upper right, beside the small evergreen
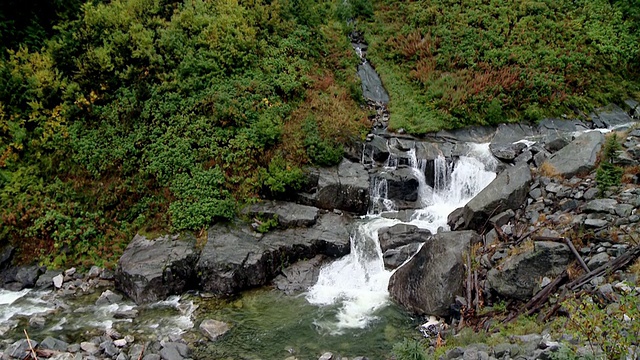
[[577, 158]]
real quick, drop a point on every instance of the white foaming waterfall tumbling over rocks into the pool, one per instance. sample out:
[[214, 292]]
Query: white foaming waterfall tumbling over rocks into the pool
[[357, 283]]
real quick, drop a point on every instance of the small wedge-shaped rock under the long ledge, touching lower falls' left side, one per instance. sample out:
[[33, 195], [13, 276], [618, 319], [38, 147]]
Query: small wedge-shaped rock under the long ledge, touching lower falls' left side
[[300, 276]]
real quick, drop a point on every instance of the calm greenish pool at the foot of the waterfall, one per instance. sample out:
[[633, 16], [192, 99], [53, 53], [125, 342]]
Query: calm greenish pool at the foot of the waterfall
[[267, 324]]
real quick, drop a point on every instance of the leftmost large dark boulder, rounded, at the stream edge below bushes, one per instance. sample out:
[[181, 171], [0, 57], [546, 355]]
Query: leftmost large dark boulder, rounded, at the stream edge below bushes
[[151, 270]]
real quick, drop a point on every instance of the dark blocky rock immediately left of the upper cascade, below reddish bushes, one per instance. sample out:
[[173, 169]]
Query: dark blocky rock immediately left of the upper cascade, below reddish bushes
[[345, 187]]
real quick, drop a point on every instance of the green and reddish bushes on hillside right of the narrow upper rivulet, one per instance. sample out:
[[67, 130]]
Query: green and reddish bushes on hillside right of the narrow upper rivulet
[[455, 63]]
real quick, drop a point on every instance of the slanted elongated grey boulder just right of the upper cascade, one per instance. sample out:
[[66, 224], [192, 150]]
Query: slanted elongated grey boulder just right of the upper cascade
[[507, 191]]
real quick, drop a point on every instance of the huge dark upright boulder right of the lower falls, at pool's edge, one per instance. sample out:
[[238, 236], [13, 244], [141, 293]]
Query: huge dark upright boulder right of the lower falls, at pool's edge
[[429, 282]]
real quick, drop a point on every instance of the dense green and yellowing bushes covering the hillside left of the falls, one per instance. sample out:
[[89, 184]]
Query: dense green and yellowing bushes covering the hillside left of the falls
[[165, 115]]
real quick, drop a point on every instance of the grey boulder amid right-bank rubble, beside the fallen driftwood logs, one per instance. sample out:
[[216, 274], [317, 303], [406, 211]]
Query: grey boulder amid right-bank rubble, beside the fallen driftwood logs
[[519, 275]]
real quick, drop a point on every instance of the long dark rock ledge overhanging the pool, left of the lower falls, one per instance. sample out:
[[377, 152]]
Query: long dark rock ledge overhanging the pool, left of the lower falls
[[234, 258]]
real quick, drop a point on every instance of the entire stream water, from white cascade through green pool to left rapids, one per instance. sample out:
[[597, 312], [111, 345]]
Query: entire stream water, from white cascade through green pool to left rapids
[[347, 311]]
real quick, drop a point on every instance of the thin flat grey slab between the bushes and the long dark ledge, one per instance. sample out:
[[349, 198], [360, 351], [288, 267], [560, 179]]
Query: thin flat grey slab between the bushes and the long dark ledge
[[288, 214]]
